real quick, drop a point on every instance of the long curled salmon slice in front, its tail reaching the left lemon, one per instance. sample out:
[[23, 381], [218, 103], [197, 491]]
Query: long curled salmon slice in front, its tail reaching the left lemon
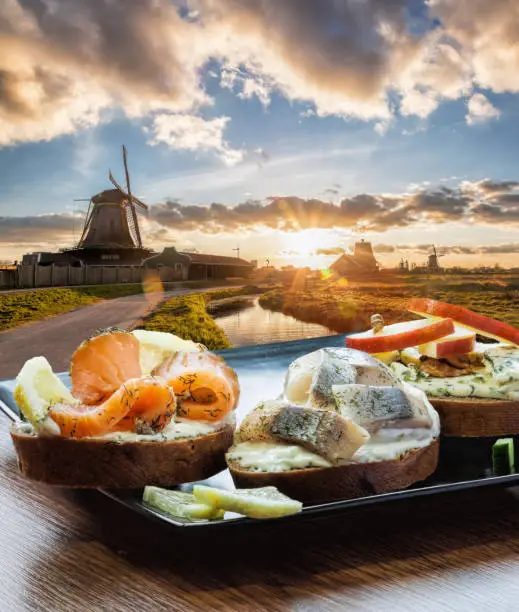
[[143, 405]]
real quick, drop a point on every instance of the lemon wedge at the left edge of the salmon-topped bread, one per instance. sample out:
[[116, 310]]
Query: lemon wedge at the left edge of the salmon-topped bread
[[37, 387]]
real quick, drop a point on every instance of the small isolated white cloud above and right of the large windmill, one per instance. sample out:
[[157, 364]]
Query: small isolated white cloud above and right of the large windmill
[[191, 133]]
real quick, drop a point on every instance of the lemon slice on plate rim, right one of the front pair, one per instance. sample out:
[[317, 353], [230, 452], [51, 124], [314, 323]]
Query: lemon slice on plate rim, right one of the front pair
[[264, 502]]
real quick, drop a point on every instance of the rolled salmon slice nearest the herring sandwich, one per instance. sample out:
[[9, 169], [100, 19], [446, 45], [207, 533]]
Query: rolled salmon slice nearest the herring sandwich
[[205, 386]]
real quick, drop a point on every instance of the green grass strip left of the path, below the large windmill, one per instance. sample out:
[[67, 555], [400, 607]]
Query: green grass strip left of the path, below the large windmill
[[17, 308]]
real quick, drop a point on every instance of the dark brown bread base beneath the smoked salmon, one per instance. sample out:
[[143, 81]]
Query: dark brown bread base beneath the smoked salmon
[[98, 463]]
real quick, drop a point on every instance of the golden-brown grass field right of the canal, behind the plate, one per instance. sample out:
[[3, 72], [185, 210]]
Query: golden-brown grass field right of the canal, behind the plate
[[346, 307]]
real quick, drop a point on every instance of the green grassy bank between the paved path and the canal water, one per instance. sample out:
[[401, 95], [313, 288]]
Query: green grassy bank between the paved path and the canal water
[[187, 316]]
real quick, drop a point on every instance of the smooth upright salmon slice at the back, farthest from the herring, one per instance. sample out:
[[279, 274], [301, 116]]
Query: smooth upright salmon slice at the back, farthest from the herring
[[102, 364]]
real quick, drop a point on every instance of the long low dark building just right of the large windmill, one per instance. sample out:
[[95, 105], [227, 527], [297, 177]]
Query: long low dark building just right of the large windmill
[[177, 265]]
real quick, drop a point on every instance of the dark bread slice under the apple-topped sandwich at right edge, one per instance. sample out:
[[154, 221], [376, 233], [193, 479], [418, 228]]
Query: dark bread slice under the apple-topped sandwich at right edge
[[477, 417]]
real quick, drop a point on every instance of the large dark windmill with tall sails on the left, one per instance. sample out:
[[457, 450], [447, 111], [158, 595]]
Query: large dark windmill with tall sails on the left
[[112, 217]]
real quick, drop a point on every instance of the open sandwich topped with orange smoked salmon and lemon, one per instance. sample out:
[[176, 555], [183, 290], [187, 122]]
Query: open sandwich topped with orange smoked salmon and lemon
[[143, 408]]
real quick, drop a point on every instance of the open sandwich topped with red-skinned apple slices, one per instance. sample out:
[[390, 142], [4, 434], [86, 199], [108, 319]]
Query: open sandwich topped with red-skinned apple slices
[[466, 363]]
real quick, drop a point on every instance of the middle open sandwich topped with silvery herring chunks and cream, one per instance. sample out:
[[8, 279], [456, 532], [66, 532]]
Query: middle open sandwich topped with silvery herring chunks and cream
[[345, 426]]
